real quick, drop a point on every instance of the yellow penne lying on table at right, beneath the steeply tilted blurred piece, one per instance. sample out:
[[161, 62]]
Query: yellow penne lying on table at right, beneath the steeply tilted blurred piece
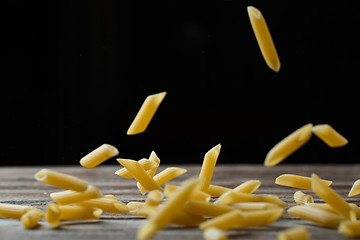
[[316, 215]]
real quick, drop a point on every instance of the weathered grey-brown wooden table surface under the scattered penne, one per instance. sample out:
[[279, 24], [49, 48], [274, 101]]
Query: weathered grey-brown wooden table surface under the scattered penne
[[18, 186]]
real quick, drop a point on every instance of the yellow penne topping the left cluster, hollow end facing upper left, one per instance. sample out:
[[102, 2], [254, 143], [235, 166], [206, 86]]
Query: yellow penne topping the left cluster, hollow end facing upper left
[[61, 180]]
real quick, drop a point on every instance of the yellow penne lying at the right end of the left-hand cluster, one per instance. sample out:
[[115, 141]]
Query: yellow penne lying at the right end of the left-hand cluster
[[105, 204]]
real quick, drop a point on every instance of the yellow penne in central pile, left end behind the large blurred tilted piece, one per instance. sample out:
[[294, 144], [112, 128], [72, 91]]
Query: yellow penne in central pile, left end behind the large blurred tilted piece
[[201, 208]]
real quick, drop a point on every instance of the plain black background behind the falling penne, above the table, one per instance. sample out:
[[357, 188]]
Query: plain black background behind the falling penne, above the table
[[75, 73]]
